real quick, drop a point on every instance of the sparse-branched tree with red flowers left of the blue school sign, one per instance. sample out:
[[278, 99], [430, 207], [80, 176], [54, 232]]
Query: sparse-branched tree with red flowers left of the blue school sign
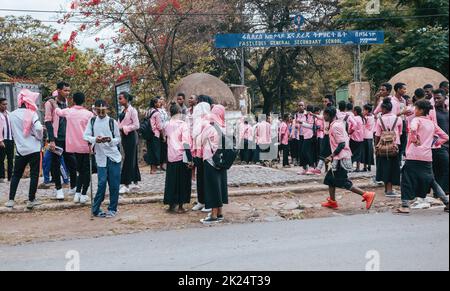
[[162, 38]]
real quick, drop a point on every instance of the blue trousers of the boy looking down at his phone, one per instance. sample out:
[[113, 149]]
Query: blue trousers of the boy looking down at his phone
[[108, 175]]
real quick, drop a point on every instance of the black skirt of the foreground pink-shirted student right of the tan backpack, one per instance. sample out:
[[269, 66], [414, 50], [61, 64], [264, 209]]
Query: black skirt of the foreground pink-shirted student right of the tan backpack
[[417, 179]]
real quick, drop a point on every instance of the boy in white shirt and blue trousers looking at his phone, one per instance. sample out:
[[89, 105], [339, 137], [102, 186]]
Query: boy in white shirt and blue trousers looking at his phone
[[105, 139]]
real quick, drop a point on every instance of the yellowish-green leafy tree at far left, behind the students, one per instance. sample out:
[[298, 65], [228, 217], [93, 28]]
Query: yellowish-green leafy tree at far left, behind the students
[[30, 52]]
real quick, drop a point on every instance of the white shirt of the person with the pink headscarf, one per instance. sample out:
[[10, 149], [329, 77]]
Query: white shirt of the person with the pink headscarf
[[32, 143]]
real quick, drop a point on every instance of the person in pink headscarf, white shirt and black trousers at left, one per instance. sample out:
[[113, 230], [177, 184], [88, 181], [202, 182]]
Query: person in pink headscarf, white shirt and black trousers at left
[[28, 133]]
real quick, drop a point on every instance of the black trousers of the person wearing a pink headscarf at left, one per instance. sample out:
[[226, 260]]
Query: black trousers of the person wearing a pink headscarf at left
[[34, 160]]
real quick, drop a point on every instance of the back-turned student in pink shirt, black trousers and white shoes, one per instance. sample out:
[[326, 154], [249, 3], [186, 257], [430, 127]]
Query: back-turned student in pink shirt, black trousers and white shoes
[[78, 119]]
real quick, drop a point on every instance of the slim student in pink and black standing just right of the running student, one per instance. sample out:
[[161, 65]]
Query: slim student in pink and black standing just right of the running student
[[357, 137]]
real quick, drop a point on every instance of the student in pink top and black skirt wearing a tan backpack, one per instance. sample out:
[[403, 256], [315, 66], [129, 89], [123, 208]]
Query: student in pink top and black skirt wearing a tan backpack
[[388, 169]]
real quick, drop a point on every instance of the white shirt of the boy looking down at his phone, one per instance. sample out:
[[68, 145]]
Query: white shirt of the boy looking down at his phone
[[103, 151]]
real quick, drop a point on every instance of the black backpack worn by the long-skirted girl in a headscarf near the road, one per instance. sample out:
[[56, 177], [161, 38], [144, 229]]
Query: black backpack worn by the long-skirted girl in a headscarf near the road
[[227, 153]]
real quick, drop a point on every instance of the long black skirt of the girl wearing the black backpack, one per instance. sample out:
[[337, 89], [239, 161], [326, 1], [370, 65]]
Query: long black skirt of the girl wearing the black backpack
[[216, 186]]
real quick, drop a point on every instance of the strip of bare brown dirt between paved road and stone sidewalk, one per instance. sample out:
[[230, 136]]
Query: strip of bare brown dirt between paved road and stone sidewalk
[[39, 226]]
